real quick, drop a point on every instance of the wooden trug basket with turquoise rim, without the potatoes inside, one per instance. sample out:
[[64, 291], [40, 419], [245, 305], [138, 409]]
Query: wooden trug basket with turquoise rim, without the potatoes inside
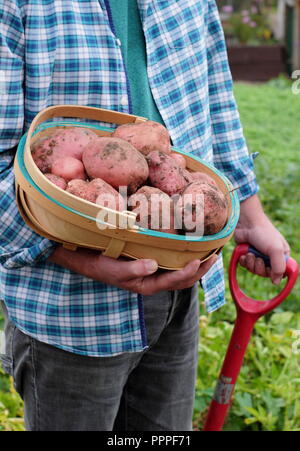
[[71, 221]]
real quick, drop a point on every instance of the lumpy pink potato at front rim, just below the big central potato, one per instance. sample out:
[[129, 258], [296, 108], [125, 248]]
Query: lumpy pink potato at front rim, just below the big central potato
[[98, 192]]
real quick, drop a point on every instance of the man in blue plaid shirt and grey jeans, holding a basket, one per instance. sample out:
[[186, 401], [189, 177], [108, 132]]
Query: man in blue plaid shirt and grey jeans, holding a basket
[[94, 343]]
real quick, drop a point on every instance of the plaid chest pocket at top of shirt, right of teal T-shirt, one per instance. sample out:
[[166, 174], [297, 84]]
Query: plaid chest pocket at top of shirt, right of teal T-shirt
[[180, 23]]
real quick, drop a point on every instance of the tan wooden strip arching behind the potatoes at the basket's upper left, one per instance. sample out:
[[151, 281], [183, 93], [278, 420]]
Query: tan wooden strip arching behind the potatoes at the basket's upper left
[[84, 112]]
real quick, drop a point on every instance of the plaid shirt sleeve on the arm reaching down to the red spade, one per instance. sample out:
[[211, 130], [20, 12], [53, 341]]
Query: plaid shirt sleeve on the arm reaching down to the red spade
[[231, 155]]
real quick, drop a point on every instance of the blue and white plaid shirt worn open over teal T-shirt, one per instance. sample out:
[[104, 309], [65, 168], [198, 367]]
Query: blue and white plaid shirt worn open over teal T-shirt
[[64, 52]]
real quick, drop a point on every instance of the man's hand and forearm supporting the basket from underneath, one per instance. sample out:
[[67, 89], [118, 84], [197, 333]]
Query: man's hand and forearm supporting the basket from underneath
[[140, 276]]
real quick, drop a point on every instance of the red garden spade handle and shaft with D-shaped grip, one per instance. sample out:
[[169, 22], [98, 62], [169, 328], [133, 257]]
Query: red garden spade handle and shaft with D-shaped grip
[[248, 312]]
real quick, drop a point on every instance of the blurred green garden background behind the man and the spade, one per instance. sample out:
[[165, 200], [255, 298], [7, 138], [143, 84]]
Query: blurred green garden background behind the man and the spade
[[263, 39]]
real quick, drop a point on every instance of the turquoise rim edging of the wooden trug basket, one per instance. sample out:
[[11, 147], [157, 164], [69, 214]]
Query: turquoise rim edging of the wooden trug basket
[[225, 232]]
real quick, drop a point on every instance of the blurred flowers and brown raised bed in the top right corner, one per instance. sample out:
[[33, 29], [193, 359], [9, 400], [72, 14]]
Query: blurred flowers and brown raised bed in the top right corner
[[263, 37]]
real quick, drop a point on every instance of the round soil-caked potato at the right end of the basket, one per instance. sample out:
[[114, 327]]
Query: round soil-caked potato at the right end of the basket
[[202, 208]]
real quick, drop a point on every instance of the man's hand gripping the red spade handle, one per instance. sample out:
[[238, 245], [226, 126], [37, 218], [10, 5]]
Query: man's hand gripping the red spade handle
[[256, 229]]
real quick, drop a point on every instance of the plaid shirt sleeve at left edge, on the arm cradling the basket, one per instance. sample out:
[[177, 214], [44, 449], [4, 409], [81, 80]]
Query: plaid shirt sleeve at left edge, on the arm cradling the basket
[[19, 245]]
